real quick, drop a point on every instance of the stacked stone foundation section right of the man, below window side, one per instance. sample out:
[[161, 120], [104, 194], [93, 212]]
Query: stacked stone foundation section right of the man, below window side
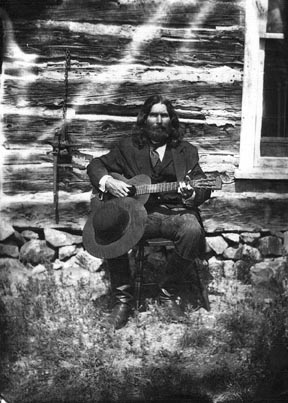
[[258, 258]]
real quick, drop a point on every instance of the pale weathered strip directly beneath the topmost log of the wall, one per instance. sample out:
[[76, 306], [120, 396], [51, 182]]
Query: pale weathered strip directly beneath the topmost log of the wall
[[120, 30]]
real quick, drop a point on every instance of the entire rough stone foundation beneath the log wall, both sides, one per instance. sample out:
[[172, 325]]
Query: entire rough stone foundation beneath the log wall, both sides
[[257, 258]]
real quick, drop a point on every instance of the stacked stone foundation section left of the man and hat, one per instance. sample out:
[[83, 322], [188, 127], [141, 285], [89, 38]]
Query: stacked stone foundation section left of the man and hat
[[32, 253]]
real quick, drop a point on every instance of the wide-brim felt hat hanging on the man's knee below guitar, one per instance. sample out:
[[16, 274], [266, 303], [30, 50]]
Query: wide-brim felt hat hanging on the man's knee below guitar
[[114, 227]]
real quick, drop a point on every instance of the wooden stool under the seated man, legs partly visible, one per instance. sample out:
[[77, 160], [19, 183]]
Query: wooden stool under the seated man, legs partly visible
[[140, 268]]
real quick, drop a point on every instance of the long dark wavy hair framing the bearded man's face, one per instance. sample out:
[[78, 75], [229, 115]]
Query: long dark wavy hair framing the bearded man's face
[[139, 134]]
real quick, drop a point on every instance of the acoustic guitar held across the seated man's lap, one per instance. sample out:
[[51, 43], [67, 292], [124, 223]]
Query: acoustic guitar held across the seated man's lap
[[141, 186]]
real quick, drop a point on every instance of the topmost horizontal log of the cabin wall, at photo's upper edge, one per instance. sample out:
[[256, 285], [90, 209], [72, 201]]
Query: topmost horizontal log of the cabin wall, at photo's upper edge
[[175, 13]]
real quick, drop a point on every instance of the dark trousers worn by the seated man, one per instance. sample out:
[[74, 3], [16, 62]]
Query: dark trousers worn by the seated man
[[182, 227]]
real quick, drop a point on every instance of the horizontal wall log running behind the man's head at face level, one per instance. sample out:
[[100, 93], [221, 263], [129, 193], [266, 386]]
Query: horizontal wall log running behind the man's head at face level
[[28, 132]]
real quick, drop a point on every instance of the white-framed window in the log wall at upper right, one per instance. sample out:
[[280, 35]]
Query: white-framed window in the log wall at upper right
[[264, 126]]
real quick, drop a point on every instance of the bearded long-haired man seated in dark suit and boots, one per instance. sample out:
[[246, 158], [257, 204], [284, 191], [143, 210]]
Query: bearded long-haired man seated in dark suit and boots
[[156, 149]]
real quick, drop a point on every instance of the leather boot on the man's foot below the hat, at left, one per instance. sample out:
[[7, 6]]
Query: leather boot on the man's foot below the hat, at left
[[122, 308]]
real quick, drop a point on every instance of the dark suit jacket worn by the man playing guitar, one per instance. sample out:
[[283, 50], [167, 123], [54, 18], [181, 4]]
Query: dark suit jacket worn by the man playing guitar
[[129, 160]]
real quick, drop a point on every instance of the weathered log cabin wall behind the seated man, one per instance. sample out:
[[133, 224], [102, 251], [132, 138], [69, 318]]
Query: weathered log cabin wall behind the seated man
[[121, 52]]
